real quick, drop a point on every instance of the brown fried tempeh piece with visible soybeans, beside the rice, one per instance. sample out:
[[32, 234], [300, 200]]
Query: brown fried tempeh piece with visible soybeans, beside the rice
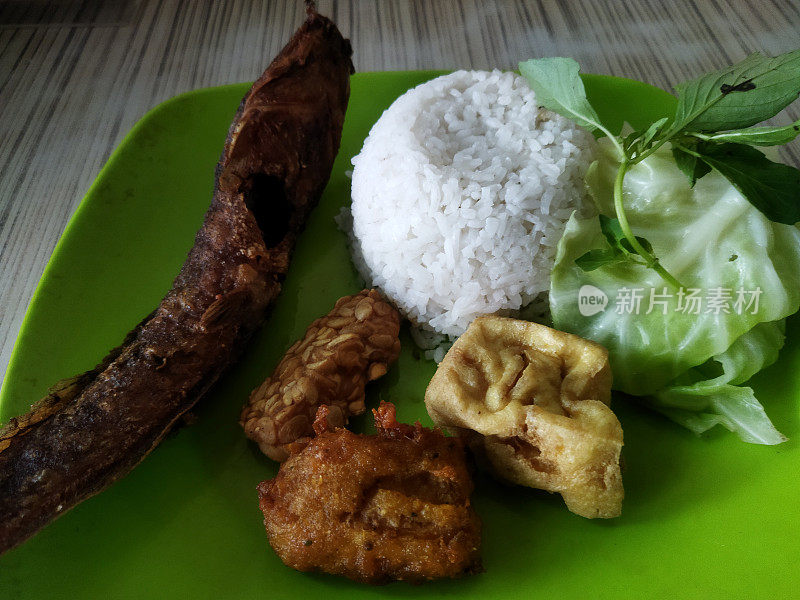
[[340, 352]]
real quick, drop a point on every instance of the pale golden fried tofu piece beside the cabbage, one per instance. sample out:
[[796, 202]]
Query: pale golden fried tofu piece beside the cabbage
[[534, 403]]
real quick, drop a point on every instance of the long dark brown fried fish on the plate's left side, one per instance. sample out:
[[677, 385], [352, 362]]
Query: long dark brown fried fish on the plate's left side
[[93, 429]]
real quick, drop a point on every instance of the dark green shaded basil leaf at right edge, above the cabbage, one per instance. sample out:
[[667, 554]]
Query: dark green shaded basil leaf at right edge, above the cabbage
[[773, 188]]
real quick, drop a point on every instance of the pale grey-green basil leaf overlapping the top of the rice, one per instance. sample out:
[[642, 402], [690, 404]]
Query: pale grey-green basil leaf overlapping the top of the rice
[[559, 88]]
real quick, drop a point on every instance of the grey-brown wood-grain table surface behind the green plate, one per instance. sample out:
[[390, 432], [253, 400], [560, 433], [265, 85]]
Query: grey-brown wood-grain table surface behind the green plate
[[75, 75]]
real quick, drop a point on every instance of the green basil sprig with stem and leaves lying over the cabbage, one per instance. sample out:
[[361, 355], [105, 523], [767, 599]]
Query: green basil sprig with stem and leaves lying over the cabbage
[[711, 129]]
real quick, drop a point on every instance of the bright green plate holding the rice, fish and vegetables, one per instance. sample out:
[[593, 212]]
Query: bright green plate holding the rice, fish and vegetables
[[703, 517]]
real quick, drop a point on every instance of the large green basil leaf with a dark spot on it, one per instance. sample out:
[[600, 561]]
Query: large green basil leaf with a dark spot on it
[[741, 95]]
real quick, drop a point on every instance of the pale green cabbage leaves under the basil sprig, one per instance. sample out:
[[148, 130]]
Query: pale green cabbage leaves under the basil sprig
[[687, 350]]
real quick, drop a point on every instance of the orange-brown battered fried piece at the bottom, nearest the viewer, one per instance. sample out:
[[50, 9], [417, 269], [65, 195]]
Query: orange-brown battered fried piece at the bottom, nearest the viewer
[[374, 508]]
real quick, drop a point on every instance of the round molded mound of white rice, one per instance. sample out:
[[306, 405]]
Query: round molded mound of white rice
[[460, 196]]
